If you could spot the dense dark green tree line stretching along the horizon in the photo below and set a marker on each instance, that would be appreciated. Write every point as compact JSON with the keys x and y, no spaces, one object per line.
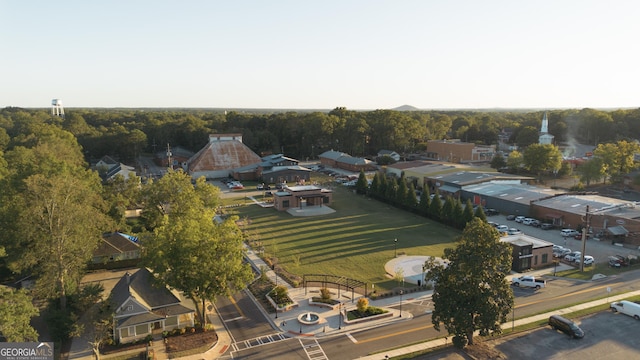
{"x":126,"y":133}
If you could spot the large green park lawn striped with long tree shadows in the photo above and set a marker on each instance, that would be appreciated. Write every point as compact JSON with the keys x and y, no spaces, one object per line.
{"x":355,"y":241}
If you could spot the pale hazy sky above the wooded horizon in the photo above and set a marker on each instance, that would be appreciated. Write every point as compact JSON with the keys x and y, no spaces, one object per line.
{"x":320,"y":54}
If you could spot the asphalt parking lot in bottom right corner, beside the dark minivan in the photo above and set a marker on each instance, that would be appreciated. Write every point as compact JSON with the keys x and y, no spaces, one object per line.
{"x":607,"y":336}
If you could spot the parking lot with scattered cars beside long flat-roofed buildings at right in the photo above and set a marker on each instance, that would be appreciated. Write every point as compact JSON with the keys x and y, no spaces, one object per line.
{"x":600,"y":250}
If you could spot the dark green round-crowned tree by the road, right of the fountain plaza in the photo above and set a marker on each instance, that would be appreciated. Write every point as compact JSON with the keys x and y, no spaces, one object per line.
{"x":471,"y":292}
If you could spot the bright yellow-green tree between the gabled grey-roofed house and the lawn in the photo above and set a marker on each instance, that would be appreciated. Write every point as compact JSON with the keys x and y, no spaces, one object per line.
{"x":188,"y":250}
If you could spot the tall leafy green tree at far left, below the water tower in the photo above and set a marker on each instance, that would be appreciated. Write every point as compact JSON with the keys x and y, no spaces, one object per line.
{"x":55,"y":210}
